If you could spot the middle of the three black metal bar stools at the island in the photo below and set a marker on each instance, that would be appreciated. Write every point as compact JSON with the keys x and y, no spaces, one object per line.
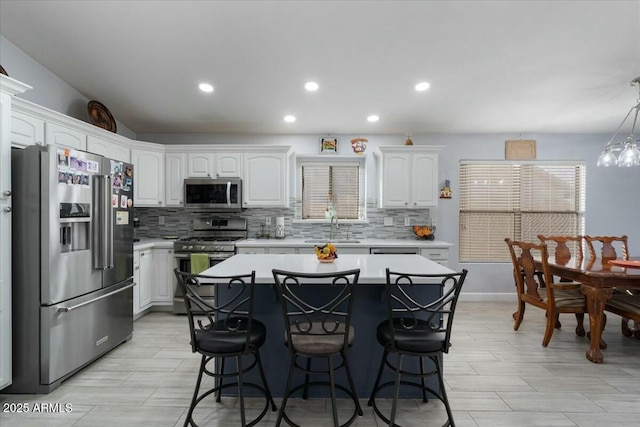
{"x":317,"y":317}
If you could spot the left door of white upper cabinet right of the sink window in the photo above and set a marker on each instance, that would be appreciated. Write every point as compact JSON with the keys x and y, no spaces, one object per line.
{"x":396,"y":181}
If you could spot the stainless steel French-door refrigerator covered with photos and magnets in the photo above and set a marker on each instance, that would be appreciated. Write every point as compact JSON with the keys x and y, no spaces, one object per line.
{"x":72,"y":284}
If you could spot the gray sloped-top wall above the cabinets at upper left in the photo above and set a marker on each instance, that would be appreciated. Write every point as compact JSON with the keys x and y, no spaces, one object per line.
{"x":48,"y":89}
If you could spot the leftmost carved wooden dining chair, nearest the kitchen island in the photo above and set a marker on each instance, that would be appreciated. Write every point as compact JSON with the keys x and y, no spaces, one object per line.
{"x":554,"y":298}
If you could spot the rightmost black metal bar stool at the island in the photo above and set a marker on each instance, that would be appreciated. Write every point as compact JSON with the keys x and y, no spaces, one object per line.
{"x":417,"y":326}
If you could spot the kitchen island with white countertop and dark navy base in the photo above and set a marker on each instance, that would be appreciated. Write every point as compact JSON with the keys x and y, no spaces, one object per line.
{"x":369,"y":305}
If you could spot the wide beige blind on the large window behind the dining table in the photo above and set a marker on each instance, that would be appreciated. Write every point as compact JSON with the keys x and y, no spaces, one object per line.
{"x":519,"y":201}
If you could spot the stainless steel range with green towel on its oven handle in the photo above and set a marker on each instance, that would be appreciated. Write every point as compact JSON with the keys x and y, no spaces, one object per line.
{"x":215,"y":237}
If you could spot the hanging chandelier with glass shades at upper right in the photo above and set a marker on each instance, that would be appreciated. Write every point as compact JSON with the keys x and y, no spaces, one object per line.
{"x":628,"y":148}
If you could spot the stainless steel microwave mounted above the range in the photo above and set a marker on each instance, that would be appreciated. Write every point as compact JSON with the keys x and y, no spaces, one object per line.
{"x":215,"y":194}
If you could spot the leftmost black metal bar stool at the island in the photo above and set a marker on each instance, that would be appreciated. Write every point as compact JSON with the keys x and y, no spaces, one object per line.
{"x":225,"y":329}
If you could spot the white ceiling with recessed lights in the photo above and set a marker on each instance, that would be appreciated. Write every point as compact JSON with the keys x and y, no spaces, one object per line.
{"x":494,"y":67}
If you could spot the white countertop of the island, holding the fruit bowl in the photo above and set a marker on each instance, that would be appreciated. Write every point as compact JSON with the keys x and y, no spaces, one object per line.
{"x":372,"y":267}
